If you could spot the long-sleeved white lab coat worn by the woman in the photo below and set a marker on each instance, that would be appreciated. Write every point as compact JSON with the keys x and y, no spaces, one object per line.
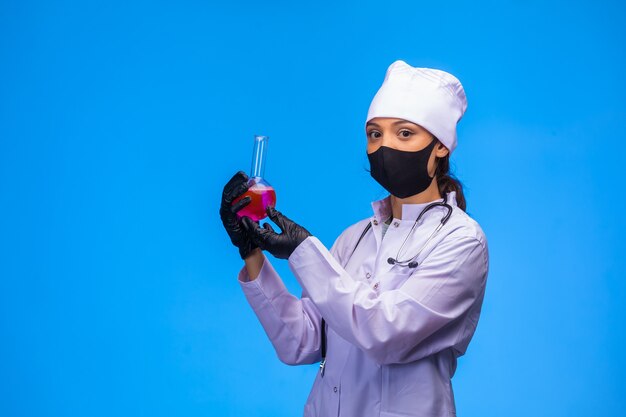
{"x":393,"y":333}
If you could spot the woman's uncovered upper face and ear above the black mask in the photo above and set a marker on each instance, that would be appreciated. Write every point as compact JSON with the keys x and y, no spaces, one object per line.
{"x":402,"y":135}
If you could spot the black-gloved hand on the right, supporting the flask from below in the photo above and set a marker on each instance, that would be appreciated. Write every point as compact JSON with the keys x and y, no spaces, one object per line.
{"x":279,"y":245}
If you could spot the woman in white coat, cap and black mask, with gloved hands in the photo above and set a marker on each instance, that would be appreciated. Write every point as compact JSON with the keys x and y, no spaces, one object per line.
{"x":397,"y":298}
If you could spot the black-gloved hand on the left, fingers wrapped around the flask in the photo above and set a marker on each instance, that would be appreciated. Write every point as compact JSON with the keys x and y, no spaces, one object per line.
{"x":235,"y":187}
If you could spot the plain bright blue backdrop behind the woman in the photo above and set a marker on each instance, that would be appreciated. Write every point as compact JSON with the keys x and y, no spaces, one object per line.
{"x":121,"y":121}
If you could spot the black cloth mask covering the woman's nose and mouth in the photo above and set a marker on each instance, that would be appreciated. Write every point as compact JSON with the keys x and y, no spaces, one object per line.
{"x":402,"y":173}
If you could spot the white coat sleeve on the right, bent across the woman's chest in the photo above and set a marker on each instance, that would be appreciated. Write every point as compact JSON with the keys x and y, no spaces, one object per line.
{"x":435,"y":308}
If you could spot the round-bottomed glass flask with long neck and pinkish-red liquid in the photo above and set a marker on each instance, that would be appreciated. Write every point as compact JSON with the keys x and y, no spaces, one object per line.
{"x":260,"y":191}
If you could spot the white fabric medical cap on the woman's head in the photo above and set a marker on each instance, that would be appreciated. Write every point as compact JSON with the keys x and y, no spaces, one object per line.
{"x":431,"y":98}
